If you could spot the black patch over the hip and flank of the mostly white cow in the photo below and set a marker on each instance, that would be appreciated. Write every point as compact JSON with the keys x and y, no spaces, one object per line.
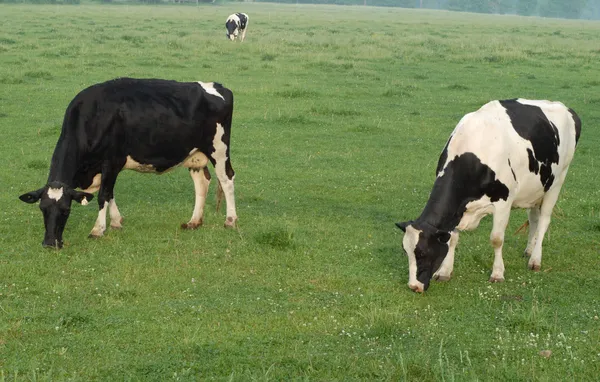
{"x":532,"y":124}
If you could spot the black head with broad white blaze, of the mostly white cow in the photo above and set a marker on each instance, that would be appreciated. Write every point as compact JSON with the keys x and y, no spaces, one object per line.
{"x":426,"y":248}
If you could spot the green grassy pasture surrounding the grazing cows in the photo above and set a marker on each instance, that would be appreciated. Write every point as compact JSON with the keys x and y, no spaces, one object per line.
{"x":340,"y":115}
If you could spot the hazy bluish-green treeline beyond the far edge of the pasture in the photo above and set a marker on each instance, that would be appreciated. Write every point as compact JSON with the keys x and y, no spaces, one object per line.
{"x":572,"y":9}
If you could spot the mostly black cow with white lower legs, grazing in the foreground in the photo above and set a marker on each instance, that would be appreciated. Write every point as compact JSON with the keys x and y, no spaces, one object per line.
{"x":147,"y":125}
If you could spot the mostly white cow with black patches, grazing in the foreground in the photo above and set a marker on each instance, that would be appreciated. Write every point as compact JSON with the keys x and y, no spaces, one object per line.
{"x":507,"y":154}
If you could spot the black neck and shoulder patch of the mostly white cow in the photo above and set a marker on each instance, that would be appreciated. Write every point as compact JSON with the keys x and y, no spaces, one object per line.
{"x":465,"y":179}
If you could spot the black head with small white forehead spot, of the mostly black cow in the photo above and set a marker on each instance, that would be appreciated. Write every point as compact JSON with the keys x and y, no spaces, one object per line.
{"x":55,"y":202}
